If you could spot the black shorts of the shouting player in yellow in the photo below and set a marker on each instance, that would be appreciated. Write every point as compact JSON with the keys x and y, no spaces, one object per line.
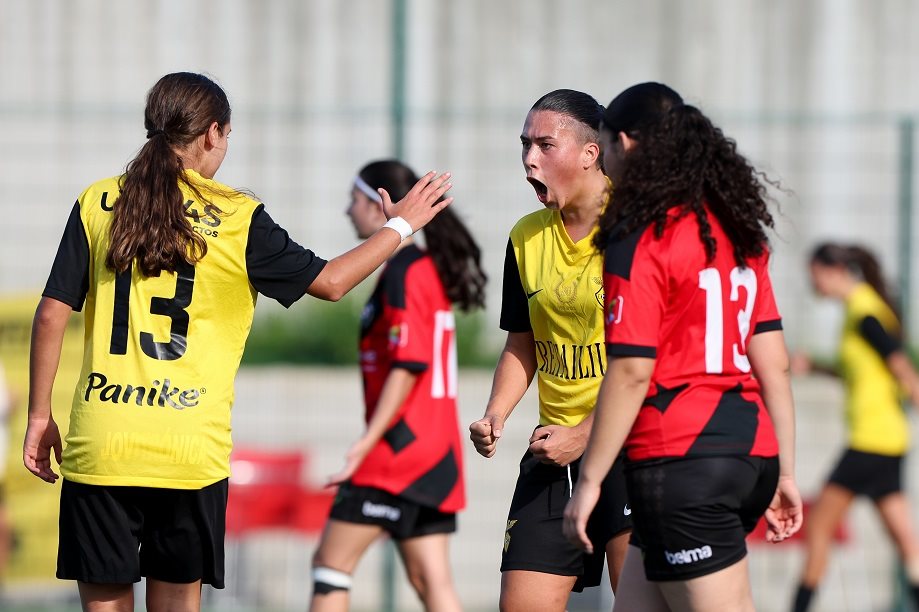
{"x":533,"y":540}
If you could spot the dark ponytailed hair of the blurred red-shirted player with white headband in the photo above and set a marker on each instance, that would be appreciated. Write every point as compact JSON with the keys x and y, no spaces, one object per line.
{"x":456,"y":255}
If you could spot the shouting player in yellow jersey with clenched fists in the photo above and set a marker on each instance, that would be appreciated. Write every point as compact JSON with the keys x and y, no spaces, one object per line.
{"x":552,"y":310}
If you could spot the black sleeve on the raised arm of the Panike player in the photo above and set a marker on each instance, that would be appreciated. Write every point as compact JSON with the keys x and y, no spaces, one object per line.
{"x":278,"y":267}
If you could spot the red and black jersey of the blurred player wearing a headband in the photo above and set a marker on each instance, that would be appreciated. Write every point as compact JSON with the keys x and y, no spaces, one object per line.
{"x":408,"y":323}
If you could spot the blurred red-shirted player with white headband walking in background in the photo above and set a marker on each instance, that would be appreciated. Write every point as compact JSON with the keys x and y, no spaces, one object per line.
{"x":404,"y":475}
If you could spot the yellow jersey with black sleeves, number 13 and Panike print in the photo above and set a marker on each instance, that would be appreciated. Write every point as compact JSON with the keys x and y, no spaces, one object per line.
{"x":152,"y":407}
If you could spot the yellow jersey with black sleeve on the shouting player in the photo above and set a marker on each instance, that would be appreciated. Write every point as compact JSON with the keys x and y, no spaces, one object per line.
{"x":554,"y":288}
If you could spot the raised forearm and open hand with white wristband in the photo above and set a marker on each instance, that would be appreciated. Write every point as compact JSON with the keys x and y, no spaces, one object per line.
{"x":417,"y":208}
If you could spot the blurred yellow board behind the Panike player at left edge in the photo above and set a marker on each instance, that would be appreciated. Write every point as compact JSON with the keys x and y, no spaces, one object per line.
{"x":32,"y":504}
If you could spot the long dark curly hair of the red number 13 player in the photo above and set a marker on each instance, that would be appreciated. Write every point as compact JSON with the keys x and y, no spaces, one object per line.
{"x":682,"y":159}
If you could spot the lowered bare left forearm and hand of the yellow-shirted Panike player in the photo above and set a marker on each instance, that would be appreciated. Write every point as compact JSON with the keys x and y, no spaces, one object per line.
{"x":42,"y":435}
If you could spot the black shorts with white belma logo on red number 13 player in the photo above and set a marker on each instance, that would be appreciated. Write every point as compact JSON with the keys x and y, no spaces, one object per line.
{"x":692,"y":515}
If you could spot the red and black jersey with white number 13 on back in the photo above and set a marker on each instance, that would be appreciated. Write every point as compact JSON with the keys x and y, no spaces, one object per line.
{"x":664,"y":300}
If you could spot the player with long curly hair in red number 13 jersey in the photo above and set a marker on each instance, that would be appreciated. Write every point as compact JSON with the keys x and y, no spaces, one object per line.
{"x":696,"y":388}
